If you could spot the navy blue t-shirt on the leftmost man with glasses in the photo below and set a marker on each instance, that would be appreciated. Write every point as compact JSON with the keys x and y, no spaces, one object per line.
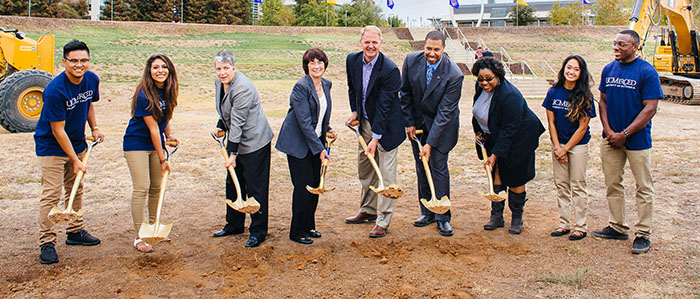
{"x":65,"y":101}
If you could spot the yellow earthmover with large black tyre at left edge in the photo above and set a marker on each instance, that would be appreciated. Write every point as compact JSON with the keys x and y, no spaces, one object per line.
{"x":26,"y":67}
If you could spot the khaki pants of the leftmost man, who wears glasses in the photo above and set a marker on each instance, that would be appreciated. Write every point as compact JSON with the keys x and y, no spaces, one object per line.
{"x":56,"y":175}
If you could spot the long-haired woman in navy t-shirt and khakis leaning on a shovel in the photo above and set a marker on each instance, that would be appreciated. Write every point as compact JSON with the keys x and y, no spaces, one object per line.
{"x":151,"y":110}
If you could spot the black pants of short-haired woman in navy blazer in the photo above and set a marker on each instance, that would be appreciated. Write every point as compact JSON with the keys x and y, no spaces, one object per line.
{"x":304,"y":172}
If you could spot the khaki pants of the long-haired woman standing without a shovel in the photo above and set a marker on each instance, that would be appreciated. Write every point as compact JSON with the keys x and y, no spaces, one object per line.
{"x":570,"y":180}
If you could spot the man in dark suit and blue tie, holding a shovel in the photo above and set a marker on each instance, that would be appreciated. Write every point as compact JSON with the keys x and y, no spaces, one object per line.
{"x":430,"y":93}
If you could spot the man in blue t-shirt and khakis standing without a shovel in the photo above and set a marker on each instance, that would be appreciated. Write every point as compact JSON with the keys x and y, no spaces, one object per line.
{"x":630,"y":90}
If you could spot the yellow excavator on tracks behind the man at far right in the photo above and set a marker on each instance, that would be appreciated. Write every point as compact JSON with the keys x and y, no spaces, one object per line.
{"x":676,"y":55}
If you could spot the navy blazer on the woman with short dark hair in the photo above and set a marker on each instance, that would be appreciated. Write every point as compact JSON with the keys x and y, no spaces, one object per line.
{"x":298,"y":132}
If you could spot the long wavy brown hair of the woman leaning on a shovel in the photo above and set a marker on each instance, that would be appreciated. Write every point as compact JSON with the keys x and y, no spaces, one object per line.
{"x":148,"y":86}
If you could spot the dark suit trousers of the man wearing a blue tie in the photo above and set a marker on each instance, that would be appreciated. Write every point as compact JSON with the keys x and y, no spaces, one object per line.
{"x":441,"y":179}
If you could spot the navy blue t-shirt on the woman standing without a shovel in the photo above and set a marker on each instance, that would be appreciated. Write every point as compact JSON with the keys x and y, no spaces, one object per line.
{"x":557,"y":103}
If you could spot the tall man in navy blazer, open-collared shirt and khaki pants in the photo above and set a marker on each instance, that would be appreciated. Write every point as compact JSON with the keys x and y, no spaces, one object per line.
{"x":373,"y":85}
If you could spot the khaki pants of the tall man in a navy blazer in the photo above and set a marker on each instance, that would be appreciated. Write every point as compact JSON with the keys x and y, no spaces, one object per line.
{"x":371,"y":203}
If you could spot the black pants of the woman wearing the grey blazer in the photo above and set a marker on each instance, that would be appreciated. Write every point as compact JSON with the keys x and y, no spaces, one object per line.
{"x":253,"y":172}
